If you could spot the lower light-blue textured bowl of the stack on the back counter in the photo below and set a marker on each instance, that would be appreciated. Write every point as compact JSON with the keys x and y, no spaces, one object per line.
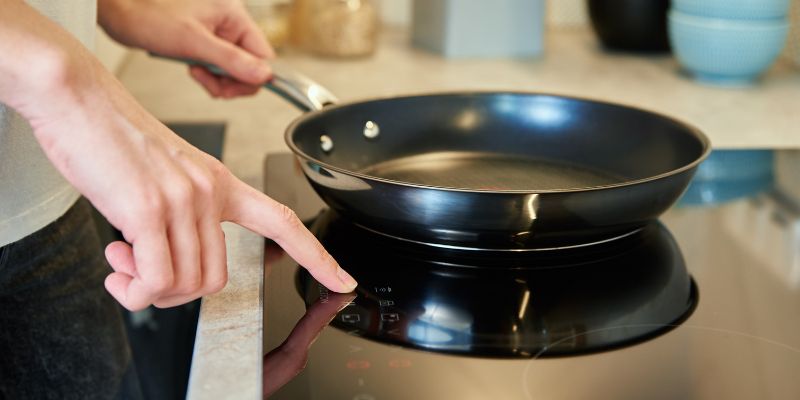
{"x":725,"y":51}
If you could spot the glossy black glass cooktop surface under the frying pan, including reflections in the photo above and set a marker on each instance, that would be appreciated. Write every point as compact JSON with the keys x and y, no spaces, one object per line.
{"x":702,"y":304}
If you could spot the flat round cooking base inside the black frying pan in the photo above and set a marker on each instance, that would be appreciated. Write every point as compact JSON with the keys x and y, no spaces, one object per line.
{"x":487,"y":171}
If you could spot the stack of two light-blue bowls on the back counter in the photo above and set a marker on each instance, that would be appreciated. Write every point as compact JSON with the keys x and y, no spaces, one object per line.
{"x":727,"y":42}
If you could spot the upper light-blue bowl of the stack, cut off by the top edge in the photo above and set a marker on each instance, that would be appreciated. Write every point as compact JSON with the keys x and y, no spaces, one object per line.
{"x":736,"y":9}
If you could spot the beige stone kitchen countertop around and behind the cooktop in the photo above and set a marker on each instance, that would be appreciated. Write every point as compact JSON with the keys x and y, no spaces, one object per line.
{"x":227,"y":362}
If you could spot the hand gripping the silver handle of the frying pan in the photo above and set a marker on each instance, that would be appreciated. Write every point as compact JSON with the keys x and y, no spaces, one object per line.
{"x":215,"y":31}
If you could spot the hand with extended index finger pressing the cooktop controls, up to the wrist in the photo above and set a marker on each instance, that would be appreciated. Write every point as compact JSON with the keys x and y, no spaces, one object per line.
{"x":168,"y":199}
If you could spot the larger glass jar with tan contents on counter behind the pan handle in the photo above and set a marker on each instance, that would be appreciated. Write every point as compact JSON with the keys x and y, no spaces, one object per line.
{"x":342,"y":28}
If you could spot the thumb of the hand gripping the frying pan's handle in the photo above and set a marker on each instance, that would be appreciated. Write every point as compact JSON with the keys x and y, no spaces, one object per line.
{"x":239,"y":63}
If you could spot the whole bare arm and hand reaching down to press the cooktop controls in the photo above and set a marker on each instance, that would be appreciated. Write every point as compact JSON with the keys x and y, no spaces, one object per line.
{"x":165,"y":196}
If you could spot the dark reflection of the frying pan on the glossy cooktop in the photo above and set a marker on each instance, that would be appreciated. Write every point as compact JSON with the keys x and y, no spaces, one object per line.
{"x":535,"y":305}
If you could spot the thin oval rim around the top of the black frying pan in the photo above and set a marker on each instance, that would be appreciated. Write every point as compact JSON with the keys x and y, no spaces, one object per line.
{"x":690,"y":128}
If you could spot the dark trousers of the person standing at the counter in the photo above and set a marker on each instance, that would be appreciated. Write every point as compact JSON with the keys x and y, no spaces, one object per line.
{"x":61,"y":333}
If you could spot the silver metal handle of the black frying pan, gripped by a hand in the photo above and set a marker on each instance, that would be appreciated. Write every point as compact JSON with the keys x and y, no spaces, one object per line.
{"x":294,"y":87}
